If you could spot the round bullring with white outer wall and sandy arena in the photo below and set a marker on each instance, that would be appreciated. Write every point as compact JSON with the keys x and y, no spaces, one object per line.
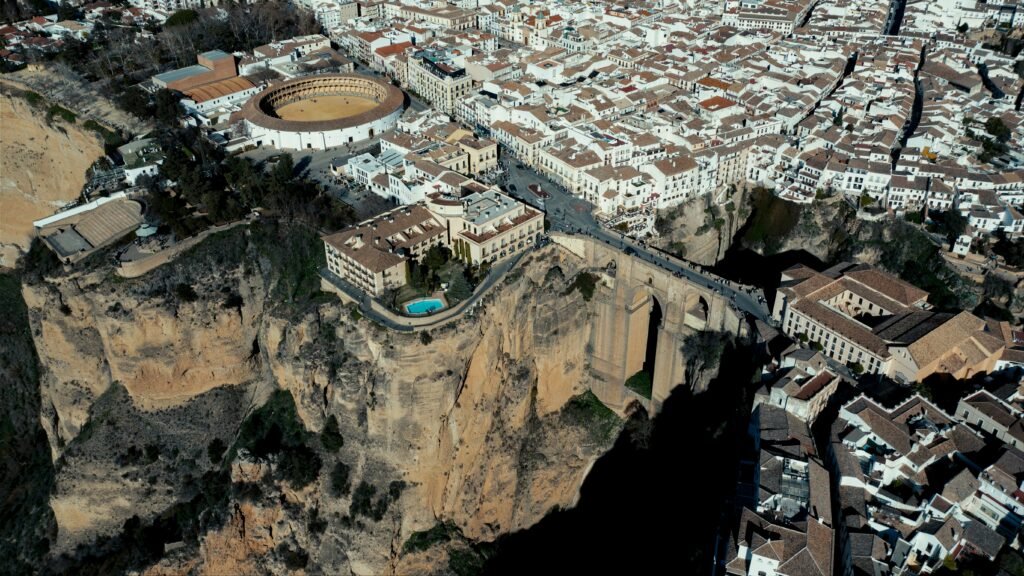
{"x":322,"y":112}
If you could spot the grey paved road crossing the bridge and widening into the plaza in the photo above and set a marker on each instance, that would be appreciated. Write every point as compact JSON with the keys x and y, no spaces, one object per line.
{"x":571,"y":215}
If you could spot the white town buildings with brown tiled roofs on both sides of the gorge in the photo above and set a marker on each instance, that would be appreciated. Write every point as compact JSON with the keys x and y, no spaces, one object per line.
{"x":902,"y":109}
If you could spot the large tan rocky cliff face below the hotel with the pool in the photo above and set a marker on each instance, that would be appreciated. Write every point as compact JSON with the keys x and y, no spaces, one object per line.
{"x":479,"y":426}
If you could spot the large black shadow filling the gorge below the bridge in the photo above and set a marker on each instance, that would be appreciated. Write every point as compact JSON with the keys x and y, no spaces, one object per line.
{"x":653,"y":504}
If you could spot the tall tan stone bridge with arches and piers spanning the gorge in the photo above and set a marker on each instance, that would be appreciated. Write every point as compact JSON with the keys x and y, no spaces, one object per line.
{"x":631,"y":294}
